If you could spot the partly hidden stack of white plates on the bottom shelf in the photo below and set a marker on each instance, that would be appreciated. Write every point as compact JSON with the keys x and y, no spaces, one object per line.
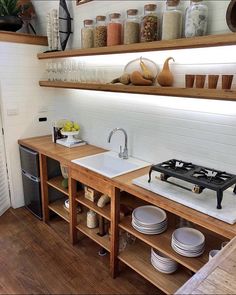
{"x":163,"y":263}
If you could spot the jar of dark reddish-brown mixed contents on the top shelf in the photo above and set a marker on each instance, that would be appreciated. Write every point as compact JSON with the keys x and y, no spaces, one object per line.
{"x":150,"y":25}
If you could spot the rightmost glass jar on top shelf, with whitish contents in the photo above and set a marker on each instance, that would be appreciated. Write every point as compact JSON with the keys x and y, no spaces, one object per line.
{"x":196,"y":19}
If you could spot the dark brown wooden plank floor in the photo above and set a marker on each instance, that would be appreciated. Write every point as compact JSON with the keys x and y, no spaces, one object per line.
{"x":38,"y":259}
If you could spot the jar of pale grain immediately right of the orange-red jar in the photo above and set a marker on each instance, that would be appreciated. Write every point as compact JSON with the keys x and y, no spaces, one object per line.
{"x":131,"y":27}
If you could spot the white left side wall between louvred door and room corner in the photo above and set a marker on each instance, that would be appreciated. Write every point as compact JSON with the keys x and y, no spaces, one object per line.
{"x":22,"y":103}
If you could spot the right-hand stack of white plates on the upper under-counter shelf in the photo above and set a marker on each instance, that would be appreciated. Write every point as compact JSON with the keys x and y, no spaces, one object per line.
{"x":188,"y":242}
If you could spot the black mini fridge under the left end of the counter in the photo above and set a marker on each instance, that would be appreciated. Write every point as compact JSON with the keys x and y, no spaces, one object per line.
{"x":31,"y":180}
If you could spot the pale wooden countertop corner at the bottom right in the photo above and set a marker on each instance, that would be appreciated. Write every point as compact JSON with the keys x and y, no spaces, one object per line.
{"x":218,"y":276}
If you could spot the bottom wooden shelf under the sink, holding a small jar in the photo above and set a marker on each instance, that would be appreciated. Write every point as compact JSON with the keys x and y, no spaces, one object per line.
{"x":92,"y":233}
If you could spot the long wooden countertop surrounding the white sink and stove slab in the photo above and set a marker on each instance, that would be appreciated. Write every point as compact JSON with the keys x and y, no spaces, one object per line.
{"x":45,"y":146}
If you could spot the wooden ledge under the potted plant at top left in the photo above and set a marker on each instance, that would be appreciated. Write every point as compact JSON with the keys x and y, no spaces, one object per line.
{"x":23,"y":38}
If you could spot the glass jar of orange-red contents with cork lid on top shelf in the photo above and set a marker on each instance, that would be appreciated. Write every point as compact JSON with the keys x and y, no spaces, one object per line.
{"x":114,"y":29}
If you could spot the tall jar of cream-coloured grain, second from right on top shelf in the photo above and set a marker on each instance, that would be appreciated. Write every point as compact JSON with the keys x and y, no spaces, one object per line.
{"x":172,"y":21}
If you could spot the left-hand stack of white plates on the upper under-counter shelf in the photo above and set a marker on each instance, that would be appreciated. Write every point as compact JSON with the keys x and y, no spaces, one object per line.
{"x":149,"y":220}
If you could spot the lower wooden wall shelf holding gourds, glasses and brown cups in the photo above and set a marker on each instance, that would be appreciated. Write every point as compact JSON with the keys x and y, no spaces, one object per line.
{"x":151,"y":90}
